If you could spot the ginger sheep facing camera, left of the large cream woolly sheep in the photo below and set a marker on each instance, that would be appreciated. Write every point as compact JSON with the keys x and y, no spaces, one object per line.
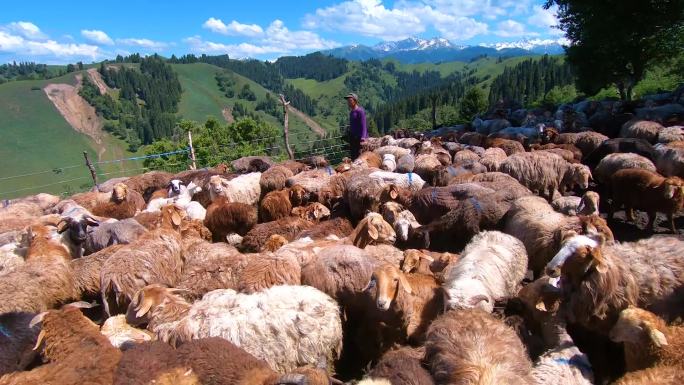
{"x":416,"y":299}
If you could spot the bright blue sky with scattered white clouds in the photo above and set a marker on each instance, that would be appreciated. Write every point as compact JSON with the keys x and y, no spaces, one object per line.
{"x":50,"y":32}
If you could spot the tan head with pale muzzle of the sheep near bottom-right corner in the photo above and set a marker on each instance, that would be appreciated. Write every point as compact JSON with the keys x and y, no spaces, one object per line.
{"x":638,"y":326}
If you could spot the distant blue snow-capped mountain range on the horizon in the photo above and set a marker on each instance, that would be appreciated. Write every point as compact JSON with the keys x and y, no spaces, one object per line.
{"x":416,"y":50}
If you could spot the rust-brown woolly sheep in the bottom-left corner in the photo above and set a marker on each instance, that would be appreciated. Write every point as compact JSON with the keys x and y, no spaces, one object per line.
{"x":73,"y":347}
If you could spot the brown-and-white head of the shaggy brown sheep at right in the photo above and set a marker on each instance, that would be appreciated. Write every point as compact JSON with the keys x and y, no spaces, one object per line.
{"x":577,"y":256}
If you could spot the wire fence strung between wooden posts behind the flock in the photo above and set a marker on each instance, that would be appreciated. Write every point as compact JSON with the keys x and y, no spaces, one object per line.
{"x":69,"y":179}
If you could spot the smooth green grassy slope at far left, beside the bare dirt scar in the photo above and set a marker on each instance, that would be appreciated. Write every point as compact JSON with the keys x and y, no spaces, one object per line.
{"x":36,"y":138}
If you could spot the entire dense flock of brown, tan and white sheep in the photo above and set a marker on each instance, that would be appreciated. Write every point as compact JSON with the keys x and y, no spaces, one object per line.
{"x":466,"y":257}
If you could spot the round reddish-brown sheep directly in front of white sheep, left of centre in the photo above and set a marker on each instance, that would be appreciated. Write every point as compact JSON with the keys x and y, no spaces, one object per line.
{"x":224,"y":217}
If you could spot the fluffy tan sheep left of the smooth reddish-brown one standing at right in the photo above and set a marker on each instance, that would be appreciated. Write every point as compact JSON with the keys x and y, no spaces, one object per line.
{"x":545,"y":173}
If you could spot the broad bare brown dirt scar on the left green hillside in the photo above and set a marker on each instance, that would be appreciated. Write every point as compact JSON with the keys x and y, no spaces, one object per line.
{"x":76,"y":111}
